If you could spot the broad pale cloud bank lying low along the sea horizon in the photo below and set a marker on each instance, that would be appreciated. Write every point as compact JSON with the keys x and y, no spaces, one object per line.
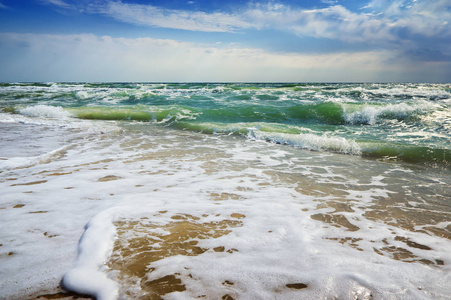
{"x":39,"y":57}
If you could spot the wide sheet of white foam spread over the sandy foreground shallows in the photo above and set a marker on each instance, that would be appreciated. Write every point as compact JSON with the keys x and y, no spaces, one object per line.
{"x":180,"y":172}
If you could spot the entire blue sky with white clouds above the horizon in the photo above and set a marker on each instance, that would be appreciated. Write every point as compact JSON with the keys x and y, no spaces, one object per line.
{"x":225,"y":41}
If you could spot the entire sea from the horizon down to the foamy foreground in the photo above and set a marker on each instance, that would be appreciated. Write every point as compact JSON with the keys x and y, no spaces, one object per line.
{"x":225,"y":191}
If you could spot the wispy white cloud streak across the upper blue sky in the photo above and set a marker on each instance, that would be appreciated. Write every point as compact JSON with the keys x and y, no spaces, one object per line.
{"x":380,"y":22}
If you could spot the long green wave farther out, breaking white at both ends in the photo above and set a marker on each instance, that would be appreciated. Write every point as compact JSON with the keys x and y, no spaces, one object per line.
{"x":329,"y":113}
